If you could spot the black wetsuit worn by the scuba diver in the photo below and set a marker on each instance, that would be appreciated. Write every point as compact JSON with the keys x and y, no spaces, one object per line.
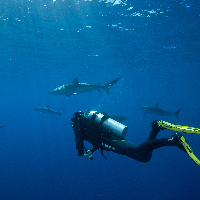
{"x":103,"y":139}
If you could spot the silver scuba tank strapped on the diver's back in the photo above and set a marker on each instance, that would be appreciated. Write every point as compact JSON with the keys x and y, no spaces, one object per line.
{"x":107,"y":122}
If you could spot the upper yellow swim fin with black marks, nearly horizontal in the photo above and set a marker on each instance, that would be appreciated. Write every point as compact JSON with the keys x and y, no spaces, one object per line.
{"x":178,"y":128}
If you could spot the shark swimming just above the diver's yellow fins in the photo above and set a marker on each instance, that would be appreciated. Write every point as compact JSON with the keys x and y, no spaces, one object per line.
{"x":158,"y":111}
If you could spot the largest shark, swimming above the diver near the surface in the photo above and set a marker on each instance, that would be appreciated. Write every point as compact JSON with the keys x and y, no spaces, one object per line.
{"x":77,"y":88}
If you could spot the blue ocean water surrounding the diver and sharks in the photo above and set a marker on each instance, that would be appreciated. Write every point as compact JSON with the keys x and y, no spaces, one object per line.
{"x":152,"y":45}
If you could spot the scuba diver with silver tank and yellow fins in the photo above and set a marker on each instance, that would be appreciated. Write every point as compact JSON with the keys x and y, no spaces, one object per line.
{"x":104,"y":133}
